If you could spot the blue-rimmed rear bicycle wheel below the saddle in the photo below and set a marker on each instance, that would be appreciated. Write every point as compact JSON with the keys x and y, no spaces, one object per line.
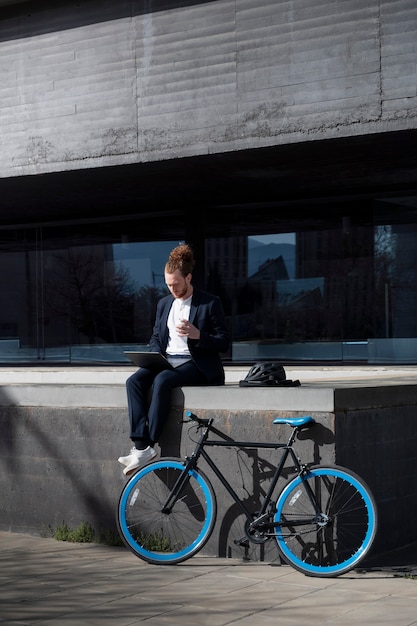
{"x":326,"y":521}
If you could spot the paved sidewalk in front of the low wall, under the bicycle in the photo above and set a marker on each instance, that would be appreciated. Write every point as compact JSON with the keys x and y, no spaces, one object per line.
{"x":51,"y":583}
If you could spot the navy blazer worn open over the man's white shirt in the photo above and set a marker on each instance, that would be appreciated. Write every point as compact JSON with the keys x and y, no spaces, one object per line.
{"x":206,"y":313}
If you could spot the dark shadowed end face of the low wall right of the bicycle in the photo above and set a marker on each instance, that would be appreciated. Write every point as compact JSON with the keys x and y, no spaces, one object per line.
{"x":377,"y":437}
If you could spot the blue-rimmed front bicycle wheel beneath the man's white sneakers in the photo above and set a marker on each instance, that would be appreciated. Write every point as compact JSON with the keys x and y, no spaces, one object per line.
{"x":160,"y":529}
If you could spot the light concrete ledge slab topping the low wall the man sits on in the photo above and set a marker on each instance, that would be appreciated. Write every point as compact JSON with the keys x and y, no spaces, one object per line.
{"x":322,"y":389}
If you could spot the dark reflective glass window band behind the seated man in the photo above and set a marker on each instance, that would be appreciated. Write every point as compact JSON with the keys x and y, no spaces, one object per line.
{"x":343,"y":292}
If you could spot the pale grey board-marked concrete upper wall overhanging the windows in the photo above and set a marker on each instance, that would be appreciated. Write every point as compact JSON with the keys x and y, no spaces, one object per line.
{"x":86,"y":84}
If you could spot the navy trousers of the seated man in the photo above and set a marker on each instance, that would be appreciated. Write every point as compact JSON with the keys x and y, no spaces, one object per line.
{"x":149,"y":398}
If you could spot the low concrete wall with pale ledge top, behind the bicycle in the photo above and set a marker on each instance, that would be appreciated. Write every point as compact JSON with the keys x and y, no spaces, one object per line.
{"x":62,"y":432}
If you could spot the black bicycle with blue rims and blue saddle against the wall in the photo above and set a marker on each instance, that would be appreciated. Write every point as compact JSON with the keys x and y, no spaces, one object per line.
{"x":324,"y":520}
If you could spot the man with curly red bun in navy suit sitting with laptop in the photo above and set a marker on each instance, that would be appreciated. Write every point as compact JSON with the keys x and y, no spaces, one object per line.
{"x":190,"y":329}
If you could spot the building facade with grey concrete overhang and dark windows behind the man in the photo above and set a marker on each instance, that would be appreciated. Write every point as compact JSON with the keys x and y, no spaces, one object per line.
{"x":222,"y":123}
